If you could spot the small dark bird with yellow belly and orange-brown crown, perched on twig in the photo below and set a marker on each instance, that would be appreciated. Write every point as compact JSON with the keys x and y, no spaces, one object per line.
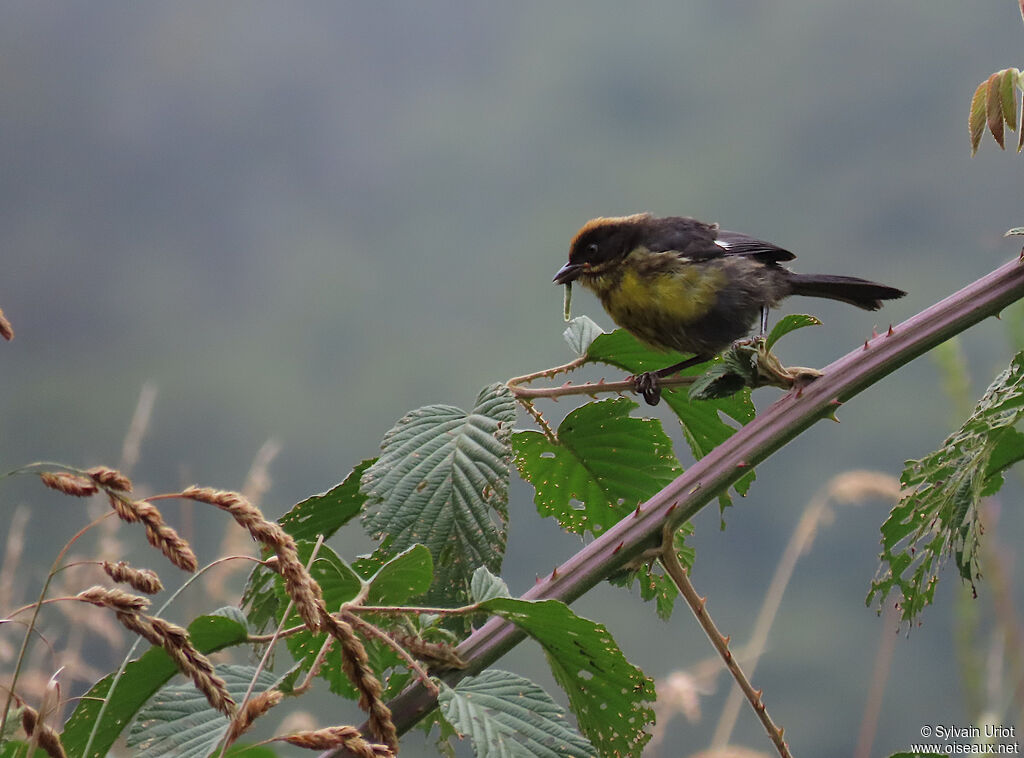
{"x":684,"y":285}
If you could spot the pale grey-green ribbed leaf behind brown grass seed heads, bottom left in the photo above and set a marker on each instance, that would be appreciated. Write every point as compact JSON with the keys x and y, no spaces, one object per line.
{"x":179,"y":723}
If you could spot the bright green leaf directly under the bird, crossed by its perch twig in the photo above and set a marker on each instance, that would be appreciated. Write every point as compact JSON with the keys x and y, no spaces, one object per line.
{"x":702,"y":422}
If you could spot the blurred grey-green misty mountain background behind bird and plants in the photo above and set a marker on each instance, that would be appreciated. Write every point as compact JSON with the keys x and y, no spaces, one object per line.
{"x":301,"y":221}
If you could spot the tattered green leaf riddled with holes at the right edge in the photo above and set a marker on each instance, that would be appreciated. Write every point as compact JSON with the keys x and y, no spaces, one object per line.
{"x":938,"y":516}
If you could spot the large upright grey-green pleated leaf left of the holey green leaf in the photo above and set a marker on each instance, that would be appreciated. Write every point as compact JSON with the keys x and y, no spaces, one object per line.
{"x":442,"y":481}
